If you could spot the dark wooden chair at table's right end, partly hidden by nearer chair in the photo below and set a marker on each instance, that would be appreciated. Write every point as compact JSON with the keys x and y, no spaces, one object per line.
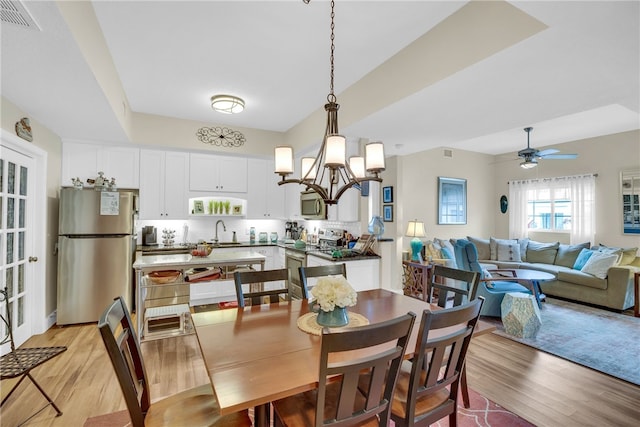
{"x":464,"y":289}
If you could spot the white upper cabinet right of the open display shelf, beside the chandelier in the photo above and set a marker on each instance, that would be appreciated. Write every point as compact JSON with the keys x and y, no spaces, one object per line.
{"x":265,"y":198}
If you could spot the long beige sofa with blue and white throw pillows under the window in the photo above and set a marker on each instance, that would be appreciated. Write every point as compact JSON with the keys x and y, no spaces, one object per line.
{"x":605,"y":278}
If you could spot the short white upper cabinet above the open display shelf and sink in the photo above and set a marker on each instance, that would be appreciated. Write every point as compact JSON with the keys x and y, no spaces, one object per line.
{"x":213,"y":173}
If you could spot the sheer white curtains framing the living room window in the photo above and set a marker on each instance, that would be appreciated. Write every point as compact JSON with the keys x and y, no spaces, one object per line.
{"x":581,"y":191}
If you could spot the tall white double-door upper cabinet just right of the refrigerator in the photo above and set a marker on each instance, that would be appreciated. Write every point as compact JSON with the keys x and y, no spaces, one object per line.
{"x":163,"y":184}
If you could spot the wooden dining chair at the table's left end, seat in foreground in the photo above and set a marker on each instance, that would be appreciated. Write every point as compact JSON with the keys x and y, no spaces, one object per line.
{"x":194,"y":407}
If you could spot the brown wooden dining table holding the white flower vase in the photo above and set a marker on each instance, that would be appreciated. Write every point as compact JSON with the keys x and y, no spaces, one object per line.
{"x":258,"y":354}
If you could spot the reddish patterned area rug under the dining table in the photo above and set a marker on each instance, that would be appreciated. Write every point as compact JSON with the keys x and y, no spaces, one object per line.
{"x":481,"y":413}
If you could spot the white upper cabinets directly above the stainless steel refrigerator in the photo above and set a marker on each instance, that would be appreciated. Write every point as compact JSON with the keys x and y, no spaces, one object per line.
{"x":84,"y":161}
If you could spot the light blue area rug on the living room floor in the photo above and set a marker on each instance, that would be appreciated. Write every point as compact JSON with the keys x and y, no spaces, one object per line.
{"x":599,"y":339}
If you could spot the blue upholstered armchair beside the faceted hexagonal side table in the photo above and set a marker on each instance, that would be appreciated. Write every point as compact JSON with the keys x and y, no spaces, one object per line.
{"x":493,"y":291}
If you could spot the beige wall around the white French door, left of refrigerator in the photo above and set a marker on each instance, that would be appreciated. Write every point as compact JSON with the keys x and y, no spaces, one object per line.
{"x":50,"y":142}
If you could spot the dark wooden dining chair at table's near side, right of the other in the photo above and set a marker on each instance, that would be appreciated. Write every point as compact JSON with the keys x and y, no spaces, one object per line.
{"x":429,"y":391}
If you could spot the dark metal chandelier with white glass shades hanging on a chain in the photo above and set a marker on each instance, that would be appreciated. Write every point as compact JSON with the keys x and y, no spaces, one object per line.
{"x":329,"y":174}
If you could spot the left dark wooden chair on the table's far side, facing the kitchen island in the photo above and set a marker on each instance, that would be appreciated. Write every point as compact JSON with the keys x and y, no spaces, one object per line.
{"x":261,"y":286}
